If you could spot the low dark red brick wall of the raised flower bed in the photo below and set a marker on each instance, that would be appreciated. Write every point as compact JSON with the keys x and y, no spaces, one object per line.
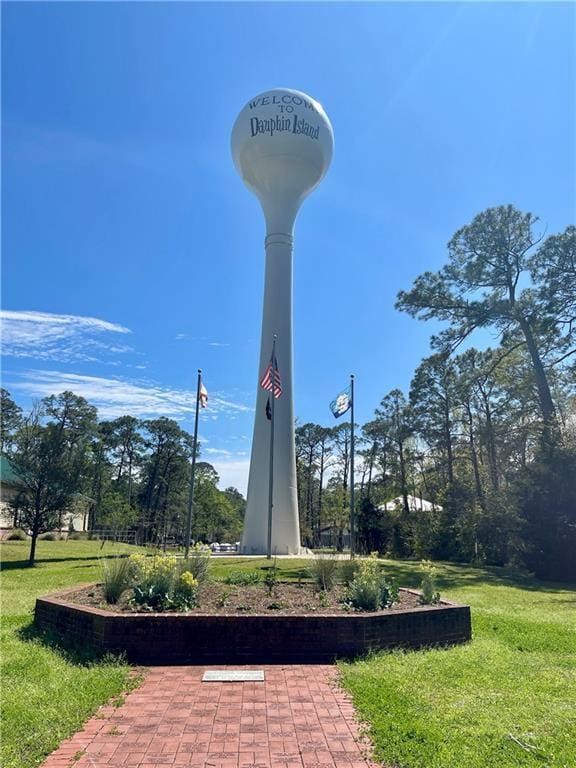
{"x":177,"y":638}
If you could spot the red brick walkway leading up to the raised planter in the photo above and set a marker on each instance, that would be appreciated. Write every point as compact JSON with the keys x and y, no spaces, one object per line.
{"x":297,"y":718}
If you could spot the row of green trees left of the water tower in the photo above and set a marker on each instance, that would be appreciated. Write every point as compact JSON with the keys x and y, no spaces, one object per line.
{"x":123,"y":473}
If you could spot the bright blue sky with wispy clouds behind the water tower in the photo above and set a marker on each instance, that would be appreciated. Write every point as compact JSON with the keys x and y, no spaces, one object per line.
{"x":133,"y":254}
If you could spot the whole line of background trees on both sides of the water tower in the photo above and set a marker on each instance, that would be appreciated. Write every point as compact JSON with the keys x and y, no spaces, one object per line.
{"x":488,"y":436}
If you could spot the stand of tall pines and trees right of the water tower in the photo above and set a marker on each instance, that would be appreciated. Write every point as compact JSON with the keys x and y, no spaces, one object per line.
{"x":487,"y":436}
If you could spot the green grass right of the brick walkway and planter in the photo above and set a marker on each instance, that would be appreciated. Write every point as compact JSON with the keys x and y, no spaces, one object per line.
{"x":506,"y":700}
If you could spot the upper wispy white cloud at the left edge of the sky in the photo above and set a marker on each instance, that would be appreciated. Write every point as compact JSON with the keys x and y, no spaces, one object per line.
{"x":46,"y":336}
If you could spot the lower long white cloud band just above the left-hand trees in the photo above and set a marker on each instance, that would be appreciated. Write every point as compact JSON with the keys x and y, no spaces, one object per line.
{"x":118,"y":396}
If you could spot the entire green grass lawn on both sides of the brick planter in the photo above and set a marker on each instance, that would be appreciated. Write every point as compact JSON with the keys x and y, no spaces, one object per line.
{"x":507,"y":699}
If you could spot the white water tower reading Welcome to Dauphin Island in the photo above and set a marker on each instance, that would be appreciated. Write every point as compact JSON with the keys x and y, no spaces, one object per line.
{"x":282,"y":144}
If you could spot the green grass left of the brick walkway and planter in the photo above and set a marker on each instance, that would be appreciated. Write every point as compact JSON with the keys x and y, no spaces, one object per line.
{"x":46,"y":696}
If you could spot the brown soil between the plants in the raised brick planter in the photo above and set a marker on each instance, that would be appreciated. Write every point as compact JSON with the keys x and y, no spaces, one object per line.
{"x":228,"y":599}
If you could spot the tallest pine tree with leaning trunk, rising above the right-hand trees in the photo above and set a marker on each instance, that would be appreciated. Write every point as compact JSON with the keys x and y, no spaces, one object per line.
{"x":482,"y":286}
